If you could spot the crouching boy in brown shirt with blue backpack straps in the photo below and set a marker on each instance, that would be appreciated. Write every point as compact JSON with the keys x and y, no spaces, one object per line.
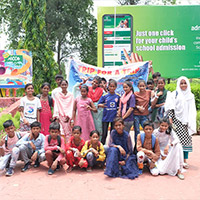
{"x":148,"y":148}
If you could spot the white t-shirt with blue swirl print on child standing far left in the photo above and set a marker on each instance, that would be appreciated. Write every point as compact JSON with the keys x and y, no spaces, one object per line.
{"x":30,"y":108}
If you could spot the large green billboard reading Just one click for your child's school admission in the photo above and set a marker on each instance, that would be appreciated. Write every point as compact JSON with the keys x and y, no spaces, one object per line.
{"x":167,"y":35}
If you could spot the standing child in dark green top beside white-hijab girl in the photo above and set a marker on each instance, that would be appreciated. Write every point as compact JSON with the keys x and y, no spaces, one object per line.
{"x":158,"y":102}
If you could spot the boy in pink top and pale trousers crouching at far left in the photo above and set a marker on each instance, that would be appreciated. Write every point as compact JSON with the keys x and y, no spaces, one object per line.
{"x":8,"y":149}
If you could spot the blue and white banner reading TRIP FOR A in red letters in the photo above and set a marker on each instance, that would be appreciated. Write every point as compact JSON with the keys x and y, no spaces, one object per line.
{"x":132,"y":72}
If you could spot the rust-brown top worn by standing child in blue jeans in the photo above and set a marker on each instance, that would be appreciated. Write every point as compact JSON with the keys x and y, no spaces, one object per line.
{"x":142,"y":99}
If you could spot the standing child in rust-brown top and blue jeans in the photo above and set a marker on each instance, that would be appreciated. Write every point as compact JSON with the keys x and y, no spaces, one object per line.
{"x":141,"y":111}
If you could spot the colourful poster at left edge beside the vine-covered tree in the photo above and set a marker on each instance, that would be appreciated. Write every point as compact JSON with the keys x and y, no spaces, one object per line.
{"x":15,"y":68}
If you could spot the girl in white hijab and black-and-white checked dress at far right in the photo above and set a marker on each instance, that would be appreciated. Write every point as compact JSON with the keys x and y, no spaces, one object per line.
{"x":180,"y":106}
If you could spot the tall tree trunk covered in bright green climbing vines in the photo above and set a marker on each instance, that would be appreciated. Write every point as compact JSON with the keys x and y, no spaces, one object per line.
{"x":35,"y":40}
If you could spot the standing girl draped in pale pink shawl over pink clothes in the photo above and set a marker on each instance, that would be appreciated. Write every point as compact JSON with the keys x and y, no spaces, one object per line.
{"x":63,"y":109}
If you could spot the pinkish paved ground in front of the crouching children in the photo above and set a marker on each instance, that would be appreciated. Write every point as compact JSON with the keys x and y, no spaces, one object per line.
{"x":80,"y":185}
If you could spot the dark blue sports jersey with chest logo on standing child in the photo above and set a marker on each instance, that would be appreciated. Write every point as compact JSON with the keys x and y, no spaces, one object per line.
{"x":112,"y":103}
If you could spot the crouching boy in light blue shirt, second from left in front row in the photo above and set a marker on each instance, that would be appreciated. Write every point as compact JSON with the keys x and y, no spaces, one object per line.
{"x":31,"y":147}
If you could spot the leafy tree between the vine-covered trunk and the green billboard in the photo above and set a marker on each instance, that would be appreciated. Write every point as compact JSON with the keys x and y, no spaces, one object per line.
{"x":71,"y":28}
